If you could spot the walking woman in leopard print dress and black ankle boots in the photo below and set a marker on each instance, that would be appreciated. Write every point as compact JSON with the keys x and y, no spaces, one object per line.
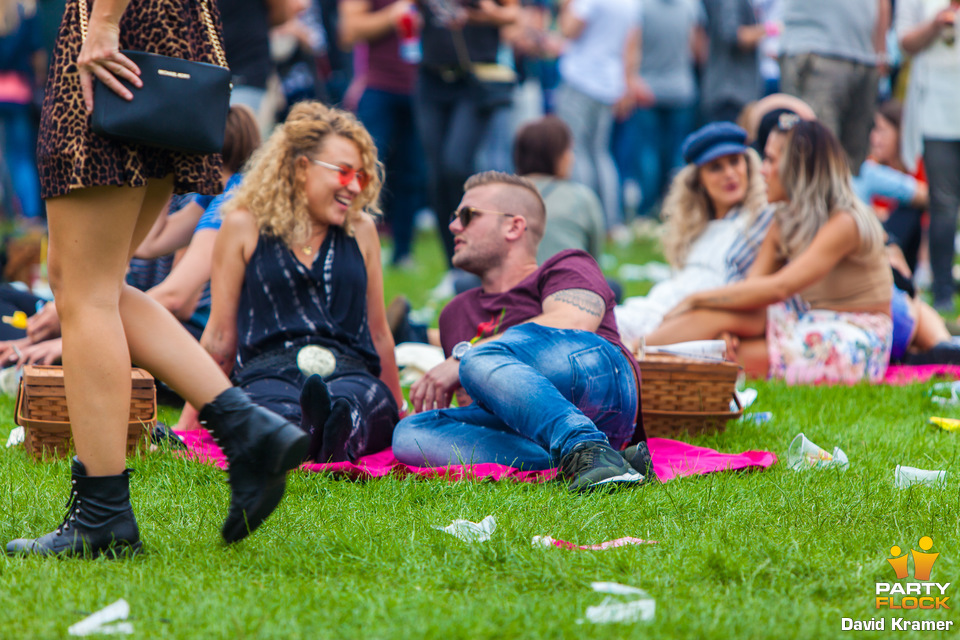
{"x":102,"y":198}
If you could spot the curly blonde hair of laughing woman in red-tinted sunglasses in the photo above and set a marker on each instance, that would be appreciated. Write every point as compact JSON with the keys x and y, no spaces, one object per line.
{"x":273,"y":193}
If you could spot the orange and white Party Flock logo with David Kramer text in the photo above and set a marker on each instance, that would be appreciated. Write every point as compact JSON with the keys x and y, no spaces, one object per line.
{"x":920,"y":593}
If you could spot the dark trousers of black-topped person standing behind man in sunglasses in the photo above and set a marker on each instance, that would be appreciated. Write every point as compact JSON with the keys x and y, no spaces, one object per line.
{"x":452,"y":126}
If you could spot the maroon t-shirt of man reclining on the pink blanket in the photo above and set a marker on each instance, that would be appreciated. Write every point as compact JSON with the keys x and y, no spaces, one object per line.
{"x":475,"y":314}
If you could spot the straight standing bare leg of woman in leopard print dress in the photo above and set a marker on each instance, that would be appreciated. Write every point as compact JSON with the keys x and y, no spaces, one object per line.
{"x":90,"y":235}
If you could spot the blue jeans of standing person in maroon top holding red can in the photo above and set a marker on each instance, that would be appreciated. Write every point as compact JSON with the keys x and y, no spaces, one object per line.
{"x":389,"y":119}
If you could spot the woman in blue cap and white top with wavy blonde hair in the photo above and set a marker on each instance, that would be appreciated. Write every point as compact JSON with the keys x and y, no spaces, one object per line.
{"x":715,"y":216}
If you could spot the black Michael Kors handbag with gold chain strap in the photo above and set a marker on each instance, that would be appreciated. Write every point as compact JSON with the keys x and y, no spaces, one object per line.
{"x":182,"y":105}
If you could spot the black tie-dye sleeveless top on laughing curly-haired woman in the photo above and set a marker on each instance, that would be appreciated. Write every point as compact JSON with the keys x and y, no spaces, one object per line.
{"x":285,"y":304}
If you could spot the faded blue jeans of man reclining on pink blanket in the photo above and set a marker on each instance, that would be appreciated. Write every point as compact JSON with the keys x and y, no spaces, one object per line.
{"x":537,"y":392}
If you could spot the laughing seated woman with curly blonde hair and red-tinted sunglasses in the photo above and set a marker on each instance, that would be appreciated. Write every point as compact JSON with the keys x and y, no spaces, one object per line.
{"x":298,"y":315}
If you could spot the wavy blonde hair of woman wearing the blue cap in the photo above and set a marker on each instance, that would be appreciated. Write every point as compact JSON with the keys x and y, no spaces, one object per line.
{"x":687,"y":209}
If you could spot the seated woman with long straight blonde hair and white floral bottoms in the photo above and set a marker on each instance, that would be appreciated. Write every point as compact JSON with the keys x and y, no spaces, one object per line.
{"x":816,"y":306}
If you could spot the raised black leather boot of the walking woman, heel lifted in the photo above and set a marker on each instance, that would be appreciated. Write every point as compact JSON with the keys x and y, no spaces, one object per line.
{"x":260,"y":447}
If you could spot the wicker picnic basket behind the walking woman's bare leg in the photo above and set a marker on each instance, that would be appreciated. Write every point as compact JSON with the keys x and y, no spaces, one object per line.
{"x":42,"y":411}
